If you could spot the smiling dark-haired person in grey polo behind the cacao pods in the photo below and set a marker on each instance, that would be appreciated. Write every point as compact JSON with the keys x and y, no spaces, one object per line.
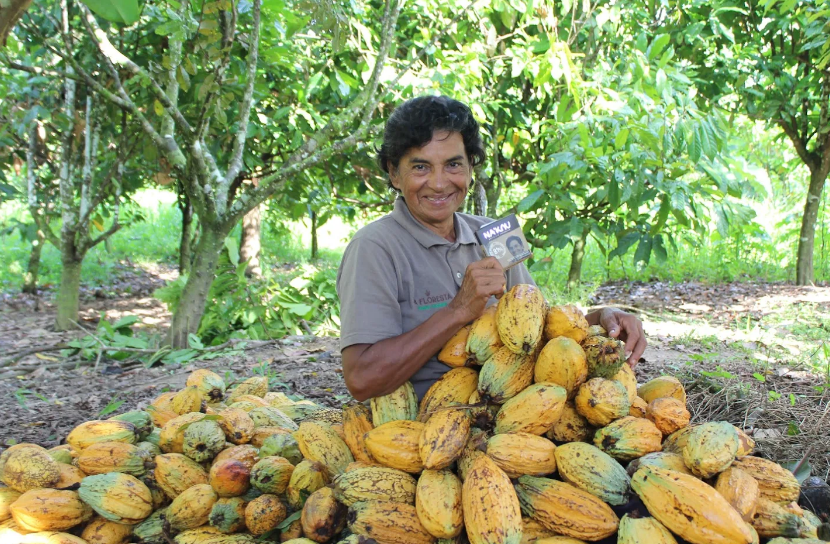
{"x":410,"y":280}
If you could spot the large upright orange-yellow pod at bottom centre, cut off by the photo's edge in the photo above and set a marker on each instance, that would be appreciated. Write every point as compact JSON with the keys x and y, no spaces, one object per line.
{"x":491,"y":508}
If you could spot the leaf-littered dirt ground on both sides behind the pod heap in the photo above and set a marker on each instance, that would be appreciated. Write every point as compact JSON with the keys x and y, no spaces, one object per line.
{"x":712,"y":338}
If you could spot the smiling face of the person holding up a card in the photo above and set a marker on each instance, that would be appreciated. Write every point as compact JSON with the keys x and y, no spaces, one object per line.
{"x":433,"y":180}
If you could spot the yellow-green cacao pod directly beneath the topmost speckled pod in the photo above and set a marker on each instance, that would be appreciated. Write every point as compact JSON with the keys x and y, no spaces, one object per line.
{"x":505,"y":375}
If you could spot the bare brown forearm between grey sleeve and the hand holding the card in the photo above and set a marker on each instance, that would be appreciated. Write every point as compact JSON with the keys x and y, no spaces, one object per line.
{"x":372,"y":370}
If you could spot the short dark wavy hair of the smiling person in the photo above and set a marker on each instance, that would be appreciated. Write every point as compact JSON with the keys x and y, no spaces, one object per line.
{"x":413,"y":123}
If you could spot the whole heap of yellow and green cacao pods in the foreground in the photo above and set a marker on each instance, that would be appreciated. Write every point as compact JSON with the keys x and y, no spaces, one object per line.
{"x":539,"y":433}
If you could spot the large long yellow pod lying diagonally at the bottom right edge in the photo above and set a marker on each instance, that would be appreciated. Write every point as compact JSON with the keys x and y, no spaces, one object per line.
{"x":689,"y":508}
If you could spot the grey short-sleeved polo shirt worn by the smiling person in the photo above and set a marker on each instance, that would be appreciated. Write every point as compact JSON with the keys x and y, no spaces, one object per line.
{"x":396,"y":273}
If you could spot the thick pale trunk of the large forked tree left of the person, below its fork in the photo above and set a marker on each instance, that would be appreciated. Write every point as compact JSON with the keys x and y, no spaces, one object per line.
{"x":189,"y":312}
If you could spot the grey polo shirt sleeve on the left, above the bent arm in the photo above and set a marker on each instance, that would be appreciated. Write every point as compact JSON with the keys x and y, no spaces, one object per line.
{"x":367,"y":284}
